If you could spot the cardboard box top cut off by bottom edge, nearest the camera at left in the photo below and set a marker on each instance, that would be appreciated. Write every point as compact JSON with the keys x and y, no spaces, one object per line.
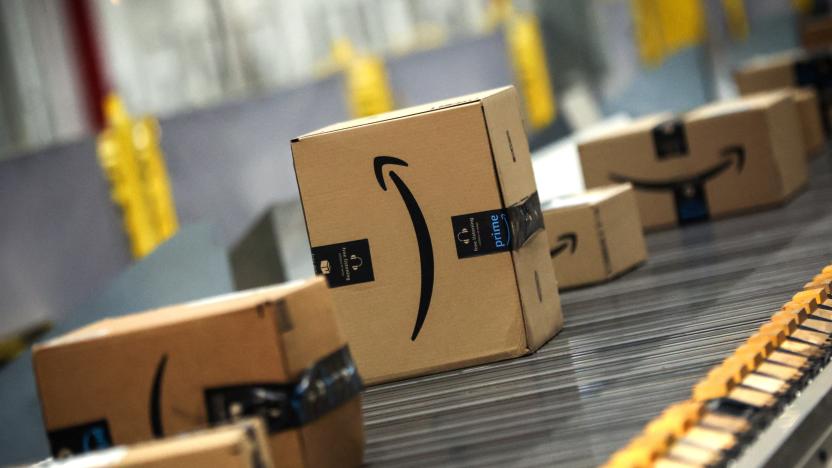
{"x":241,"y":445}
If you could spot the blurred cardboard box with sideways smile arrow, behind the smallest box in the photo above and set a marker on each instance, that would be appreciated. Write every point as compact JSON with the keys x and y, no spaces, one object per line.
{"x":723,"y":158}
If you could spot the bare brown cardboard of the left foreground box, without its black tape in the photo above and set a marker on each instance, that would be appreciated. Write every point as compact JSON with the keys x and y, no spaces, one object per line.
{"x":106,"y":370}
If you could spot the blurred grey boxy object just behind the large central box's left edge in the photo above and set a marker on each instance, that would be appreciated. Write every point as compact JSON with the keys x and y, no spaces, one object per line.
{"x":274,"y":249}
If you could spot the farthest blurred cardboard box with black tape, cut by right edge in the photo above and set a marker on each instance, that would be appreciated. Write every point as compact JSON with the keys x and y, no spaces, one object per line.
{"x":792,"y":69}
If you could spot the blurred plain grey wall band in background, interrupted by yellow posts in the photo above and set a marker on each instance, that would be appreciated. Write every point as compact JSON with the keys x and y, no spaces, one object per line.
{"x":63,"y":238}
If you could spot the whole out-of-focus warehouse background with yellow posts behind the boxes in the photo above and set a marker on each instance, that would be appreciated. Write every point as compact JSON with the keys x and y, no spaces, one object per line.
{"x":142,"y":142}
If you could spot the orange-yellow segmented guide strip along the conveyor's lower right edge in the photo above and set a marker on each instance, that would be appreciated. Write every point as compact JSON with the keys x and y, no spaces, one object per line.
{"x":748,"y":387}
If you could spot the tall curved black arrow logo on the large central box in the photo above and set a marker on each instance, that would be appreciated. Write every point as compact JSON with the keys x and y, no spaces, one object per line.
{"x":420,"y":227}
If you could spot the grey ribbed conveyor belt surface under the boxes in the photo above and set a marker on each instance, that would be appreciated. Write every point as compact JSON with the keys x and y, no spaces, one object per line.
{"x":630,"y":348}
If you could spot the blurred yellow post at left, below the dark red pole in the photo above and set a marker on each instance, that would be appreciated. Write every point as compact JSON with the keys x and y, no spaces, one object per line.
{"x":133,"y":162}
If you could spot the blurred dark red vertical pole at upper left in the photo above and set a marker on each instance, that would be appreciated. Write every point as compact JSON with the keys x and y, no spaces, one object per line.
{"x":88,"y":59}
